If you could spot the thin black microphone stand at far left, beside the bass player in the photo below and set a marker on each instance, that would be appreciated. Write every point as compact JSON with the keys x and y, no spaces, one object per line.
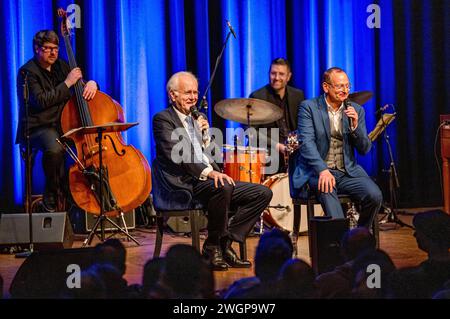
{"x":27,"y":169}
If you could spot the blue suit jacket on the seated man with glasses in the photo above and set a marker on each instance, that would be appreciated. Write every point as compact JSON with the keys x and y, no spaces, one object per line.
{"x":314,"y":136}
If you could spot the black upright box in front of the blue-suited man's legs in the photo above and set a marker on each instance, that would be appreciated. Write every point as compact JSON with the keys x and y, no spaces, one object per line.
{"x":325,"y":237}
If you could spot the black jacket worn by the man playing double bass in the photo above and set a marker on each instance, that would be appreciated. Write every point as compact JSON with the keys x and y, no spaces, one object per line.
{"x":47,"y":96}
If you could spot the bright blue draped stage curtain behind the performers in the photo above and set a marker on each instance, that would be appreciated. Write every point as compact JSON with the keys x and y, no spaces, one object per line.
{"x":131,"y":48}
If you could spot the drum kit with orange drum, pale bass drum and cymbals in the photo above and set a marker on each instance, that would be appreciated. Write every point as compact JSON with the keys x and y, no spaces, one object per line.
{"x":246,"y":164}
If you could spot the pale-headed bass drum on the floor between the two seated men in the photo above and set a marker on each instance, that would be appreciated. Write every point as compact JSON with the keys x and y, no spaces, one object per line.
{"x":280,"y":212}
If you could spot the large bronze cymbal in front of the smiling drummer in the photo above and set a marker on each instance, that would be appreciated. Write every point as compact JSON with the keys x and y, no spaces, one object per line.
{"x":259,"y":111}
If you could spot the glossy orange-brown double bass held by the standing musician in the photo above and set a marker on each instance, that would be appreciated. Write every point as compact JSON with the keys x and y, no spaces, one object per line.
{"x":125,"y":175}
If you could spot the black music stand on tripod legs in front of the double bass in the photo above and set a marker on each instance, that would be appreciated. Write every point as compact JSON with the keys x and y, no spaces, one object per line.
{"x":99,"y":130}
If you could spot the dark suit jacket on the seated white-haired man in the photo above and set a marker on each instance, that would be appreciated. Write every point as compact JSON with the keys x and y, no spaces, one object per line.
{"x":177,"y":175}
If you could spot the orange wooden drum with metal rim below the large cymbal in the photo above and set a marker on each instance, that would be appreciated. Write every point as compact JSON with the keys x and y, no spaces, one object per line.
{"x":245,"y":164}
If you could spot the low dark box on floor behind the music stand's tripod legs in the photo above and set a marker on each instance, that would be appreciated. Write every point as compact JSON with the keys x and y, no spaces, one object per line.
{"x":83,"y":222}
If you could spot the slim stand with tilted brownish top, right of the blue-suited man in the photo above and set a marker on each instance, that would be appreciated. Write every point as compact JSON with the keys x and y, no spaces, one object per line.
{"x":390,"y":211}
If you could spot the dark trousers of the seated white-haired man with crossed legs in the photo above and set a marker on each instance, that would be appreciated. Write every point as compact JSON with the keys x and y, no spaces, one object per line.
{"x":246,"y":201}
